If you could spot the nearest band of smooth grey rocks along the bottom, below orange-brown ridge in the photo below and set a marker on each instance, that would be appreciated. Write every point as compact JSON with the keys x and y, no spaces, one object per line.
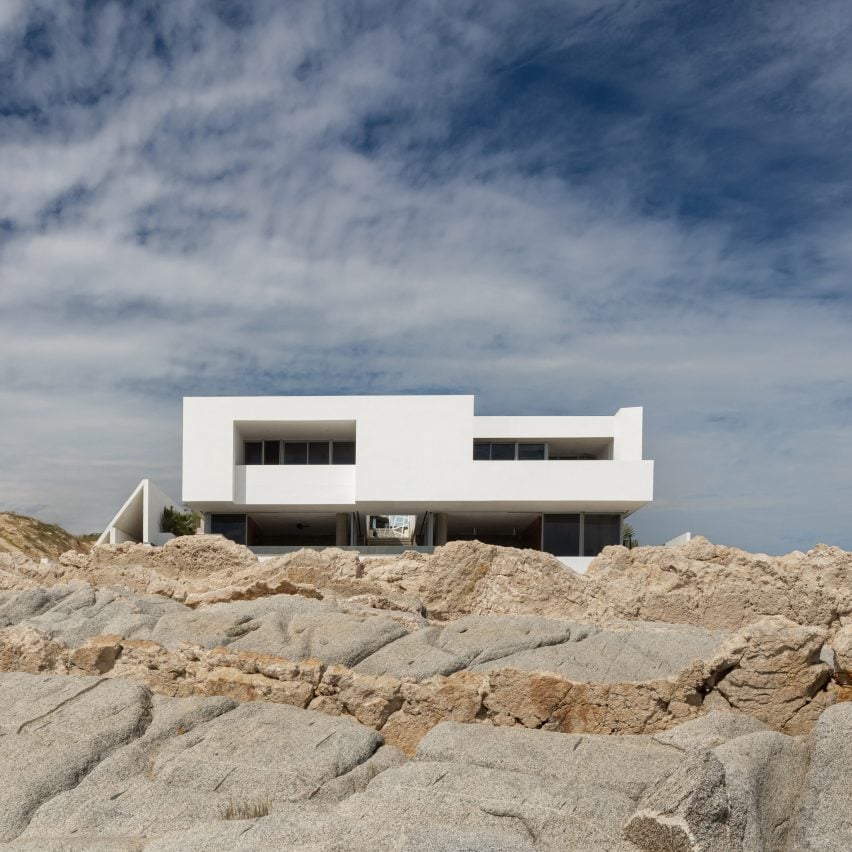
{"x":104,"y":764}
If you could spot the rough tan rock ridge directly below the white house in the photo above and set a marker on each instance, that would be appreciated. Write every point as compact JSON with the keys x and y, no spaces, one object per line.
{"x":700,"y":583}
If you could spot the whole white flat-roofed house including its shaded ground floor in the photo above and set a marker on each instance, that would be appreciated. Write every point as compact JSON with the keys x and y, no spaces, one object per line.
{"x":275,"y":460}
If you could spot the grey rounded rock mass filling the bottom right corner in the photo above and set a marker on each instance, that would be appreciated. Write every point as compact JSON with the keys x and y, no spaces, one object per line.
{"x":760,"y":791}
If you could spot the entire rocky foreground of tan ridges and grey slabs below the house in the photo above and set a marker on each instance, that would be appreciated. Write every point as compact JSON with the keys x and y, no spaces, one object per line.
{"x":190,"y":697}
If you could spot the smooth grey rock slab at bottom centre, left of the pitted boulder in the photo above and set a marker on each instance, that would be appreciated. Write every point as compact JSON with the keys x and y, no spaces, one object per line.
{"x":485,"y":787}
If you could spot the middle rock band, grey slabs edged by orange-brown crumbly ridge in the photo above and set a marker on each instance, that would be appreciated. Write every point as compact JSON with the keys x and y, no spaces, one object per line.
{"x":504,"y":670}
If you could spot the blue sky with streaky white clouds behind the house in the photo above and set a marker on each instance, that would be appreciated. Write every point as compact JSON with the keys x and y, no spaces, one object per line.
{"x":561,"y":207}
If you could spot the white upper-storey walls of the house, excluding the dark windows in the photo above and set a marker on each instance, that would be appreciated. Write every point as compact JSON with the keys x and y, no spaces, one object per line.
{"x":412,"y":453}
